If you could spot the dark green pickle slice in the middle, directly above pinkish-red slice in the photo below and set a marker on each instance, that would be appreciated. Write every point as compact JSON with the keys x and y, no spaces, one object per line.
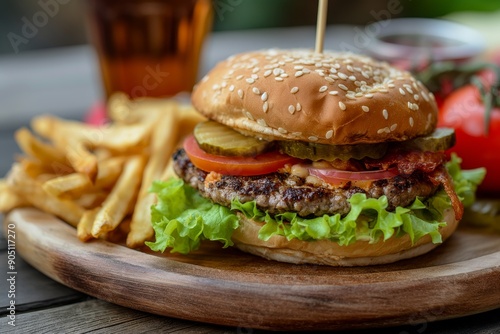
{"x":315,"y":152}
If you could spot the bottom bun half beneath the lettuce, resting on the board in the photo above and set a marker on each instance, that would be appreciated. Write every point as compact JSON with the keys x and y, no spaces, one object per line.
{"x":360,"y":253}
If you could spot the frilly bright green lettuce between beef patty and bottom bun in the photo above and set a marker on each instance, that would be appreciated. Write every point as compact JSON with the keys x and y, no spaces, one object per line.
{"x":182,"y":218}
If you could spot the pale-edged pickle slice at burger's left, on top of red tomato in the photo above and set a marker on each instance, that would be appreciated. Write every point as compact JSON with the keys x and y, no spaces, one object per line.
{"x":216,"y":138}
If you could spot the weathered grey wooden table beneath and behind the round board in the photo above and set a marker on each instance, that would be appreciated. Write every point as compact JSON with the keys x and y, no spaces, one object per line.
{"x":45,"y":306}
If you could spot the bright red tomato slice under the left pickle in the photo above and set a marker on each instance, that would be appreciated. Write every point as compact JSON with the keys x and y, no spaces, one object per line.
{"x":244,"y":166}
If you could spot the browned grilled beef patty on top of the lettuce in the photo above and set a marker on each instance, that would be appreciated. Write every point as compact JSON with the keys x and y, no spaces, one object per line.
{"x":283,"y":192}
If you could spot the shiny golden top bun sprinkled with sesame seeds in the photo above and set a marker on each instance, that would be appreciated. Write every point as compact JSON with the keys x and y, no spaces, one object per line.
{"x":330,"y":98}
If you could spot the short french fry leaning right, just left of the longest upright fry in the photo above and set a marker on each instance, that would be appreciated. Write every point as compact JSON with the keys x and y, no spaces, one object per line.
{"x":124,"y":193}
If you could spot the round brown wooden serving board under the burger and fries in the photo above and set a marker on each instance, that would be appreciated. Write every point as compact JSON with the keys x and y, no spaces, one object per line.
{"x":228,"y":287}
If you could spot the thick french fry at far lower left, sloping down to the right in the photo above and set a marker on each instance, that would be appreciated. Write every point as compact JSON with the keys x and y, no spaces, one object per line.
{"x":32,"y":191}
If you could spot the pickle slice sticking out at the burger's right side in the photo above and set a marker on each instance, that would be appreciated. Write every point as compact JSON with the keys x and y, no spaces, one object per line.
{"x":440,"y":140}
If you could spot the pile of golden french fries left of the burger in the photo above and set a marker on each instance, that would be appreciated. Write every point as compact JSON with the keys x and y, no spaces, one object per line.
{"x":96,"y":178}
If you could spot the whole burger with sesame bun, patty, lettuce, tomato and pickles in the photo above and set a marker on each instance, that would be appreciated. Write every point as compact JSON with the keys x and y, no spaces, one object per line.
{"x":324,"y":158}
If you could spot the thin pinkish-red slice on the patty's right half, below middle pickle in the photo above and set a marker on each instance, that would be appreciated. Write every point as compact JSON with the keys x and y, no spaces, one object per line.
{"x":338,"y":177}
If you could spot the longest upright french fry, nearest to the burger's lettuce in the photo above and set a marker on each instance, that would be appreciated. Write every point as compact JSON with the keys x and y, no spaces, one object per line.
{"x":162,"y":144}
